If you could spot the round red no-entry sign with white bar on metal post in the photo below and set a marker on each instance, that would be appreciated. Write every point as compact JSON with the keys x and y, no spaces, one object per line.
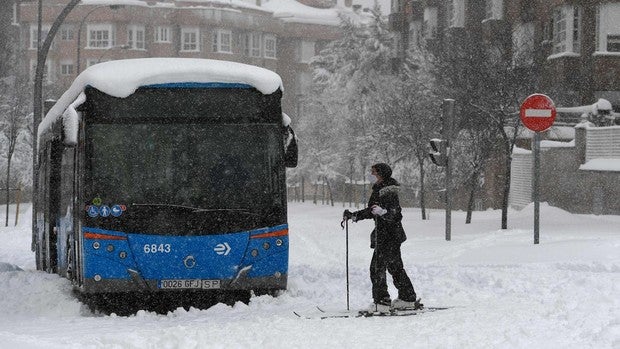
{"x":537,"y":114}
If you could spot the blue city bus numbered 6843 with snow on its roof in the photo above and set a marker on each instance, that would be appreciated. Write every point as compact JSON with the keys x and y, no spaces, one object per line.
{"x":165,"y":176}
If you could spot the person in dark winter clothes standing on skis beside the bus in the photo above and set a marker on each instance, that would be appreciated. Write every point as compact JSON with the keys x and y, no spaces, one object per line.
{"x":385,"y":239}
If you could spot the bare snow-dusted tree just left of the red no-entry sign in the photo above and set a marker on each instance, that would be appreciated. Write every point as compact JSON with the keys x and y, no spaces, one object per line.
{"x":488,"y":86}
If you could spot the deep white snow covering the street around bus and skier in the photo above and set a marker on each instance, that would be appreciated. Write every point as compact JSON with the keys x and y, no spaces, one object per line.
{"x":509,"y":293}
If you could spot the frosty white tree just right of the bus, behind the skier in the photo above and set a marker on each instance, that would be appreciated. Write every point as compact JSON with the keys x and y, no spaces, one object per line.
{"x":339,"y":132}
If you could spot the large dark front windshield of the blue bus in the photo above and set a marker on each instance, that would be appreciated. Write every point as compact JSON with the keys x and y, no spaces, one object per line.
{"x":203,"y":168}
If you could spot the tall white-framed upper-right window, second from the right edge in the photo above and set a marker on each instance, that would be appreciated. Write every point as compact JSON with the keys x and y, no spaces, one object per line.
{"x":566,"y":27}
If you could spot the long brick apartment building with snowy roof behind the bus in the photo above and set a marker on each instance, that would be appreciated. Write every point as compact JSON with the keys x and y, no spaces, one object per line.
{"x":281,"y":35}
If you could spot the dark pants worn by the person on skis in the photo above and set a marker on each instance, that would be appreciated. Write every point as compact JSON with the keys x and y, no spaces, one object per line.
{"x":387,"y":257}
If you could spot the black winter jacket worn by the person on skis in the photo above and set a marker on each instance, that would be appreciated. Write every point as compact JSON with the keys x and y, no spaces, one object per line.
{"x":388,"y":228}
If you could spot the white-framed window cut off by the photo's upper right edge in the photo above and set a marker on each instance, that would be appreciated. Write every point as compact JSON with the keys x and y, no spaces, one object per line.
{"x":608,"y":27}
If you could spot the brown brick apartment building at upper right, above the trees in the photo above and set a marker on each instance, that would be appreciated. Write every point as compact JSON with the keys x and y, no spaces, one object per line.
{"x":574,"y":44}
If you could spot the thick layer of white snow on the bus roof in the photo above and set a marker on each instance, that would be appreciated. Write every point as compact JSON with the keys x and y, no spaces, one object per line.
{"x":121,"y":78}
